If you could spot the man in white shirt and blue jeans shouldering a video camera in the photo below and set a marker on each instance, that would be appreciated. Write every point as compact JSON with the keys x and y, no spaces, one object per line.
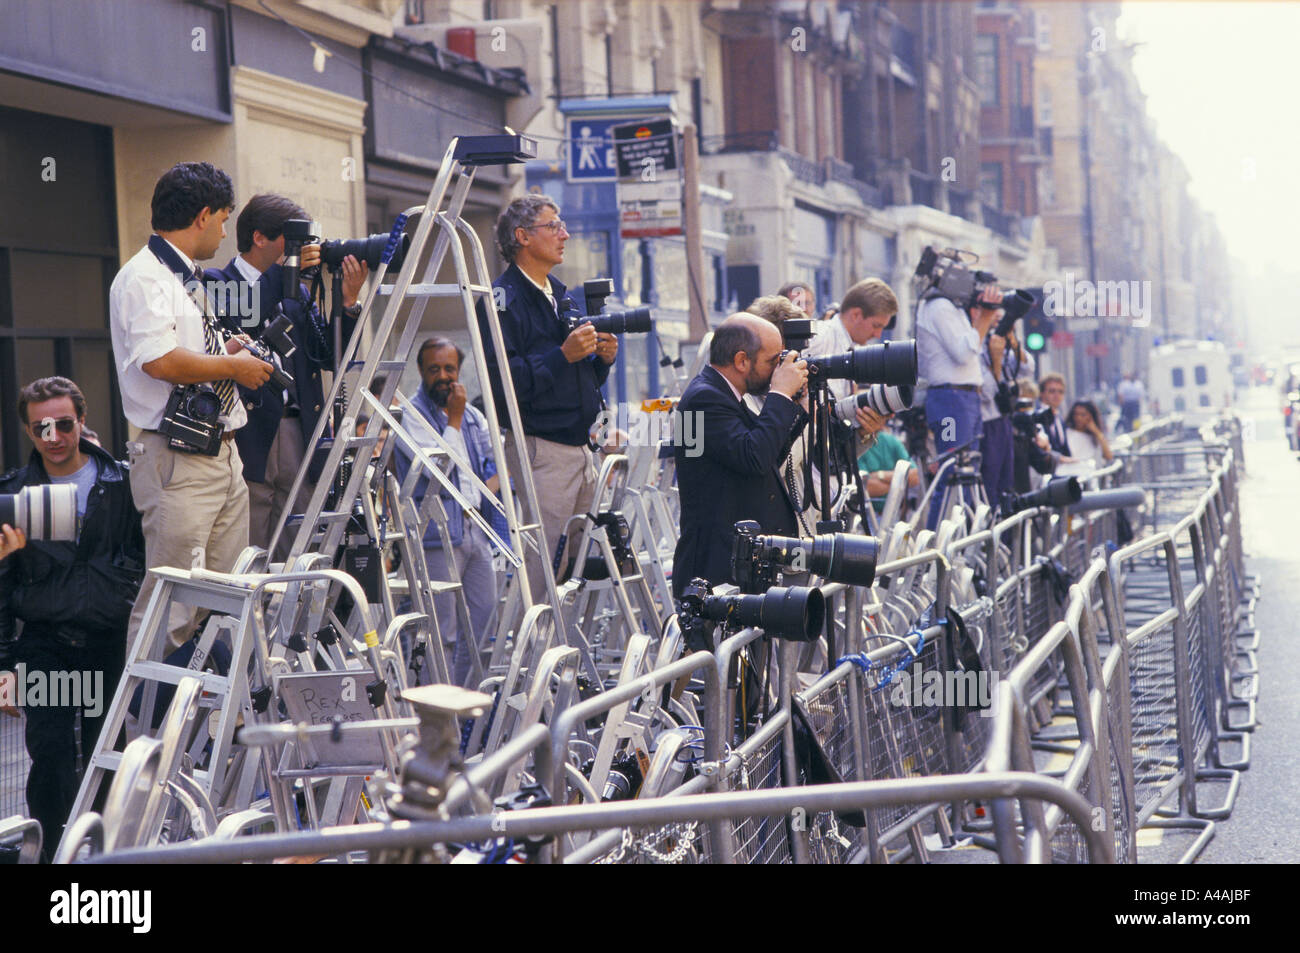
{"x":950,"y":344}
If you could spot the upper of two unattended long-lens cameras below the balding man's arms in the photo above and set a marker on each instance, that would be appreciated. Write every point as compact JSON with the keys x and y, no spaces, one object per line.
{"x":834,"y":557}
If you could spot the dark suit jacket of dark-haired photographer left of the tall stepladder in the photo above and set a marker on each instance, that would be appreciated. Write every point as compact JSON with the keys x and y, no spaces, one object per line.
{"x":266,"y":406}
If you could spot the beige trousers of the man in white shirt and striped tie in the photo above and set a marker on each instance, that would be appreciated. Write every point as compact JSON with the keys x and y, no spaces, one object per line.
{"x":193,"y":509}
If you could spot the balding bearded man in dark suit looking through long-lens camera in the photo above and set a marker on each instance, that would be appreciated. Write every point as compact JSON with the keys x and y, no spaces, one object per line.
{"x":736,"y":475}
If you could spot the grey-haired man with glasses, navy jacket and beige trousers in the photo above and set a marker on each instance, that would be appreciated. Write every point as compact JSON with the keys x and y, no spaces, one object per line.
{"x":557,"y":372}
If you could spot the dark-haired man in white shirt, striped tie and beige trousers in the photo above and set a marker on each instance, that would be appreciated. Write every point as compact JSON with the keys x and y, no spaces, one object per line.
{"x":194,"y":506}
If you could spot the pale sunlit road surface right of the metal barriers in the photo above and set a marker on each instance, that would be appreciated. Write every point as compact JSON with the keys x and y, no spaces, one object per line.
{"x":1266,"y":825}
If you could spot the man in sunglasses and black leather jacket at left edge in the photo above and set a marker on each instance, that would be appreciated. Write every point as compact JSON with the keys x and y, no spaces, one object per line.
{"x":73,"y":599}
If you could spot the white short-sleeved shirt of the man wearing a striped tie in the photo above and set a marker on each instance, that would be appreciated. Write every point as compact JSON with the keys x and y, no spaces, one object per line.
{"x":150,"y":315}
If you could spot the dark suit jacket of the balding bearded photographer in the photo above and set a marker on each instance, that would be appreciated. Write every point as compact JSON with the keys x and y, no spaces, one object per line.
{"x":734,"y":478}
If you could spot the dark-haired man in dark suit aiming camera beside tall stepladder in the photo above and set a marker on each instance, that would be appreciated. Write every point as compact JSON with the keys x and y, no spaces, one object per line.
{"x":281,"y":422}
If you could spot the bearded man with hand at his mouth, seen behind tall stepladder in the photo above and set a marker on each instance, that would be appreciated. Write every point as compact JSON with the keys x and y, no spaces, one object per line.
{"x":441,"y":401}
